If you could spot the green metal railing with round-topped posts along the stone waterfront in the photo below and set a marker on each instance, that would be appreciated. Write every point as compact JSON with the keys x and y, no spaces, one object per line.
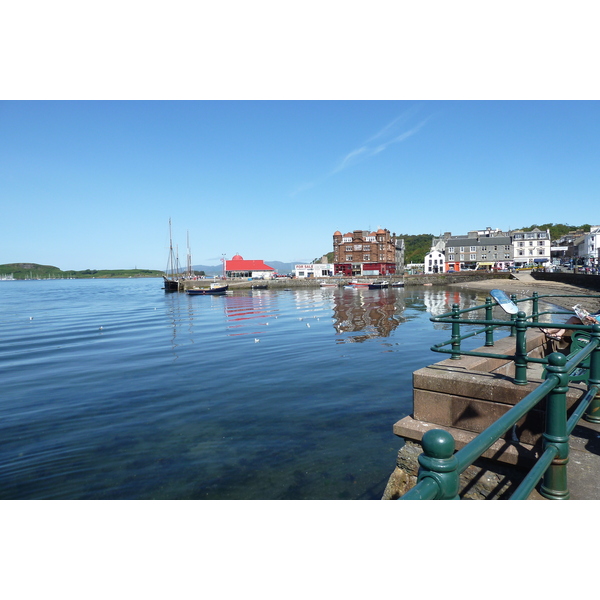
{"x":440,"y":467}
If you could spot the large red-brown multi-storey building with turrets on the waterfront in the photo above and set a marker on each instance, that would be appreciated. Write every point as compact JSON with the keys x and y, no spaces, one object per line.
{"x":367,"y":253}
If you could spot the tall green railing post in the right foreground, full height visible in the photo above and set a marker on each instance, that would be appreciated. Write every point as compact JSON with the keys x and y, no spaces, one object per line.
{"x":554,"y":485}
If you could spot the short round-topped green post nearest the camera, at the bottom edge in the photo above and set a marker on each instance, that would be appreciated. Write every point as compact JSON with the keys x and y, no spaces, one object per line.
{"x":439,"y":463}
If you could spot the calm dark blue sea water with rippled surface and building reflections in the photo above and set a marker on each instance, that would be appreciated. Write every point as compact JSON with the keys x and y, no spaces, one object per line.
{"x":117,"y":390}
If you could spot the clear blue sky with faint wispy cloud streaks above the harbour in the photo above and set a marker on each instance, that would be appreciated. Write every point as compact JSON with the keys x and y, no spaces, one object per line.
{"x":92,"y":184}
